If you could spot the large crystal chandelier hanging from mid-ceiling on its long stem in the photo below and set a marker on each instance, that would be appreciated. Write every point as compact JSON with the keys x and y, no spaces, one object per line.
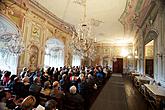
{"x":82,"y":43}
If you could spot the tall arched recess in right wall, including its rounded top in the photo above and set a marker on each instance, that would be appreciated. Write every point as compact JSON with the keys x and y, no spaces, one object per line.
{"x":150,"y":54}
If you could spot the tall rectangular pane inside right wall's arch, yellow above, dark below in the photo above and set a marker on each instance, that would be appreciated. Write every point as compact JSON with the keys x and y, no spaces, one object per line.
{"x":149,"y":59}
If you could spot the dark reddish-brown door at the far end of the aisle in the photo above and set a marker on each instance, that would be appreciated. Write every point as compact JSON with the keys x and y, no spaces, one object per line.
{"x":118,"y":65}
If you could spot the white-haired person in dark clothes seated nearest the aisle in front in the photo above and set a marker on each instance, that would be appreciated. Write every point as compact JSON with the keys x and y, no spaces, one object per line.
{"x":73,"y":101}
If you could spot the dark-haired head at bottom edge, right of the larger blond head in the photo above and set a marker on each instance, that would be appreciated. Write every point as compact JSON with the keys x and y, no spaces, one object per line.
{"x":50,"y":105}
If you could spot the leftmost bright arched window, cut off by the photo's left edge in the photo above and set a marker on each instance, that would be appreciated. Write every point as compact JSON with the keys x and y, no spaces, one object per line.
{"x":8,"y":31}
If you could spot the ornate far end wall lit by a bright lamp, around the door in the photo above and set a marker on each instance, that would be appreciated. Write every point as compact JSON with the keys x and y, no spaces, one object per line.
{"x":108,"y":53}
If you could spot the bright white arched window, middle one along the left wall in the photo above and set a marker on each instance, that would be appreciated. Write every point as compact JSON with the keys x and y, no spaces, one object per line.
{"x":54,"y":53}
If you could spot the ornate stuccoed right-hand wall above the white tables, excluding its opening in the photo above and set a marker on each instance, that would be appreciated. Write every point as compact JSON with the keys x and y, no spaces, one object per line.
{"x":146,"y":20}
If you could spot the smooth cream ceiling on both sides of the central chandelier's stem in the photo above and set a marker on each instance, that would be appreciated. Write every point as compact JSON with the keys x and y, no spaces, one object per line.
{"x":106,"y":12}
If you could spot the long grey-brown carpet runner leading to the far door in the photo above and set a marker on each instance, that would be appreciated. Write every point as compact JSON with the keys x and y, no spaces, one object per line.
{"x":112,"y":96}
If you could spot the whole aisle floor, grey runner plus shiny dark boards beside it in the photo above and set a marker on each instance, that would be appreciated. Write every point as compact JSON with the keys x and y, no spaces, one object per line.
{"x":119,"y":94}
